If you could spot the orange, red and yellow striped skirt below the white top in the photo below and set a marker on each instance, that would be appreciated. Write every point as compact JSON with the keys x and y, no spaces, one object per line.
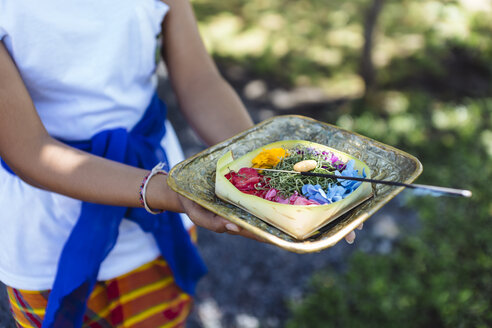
{"x":145,"y":297}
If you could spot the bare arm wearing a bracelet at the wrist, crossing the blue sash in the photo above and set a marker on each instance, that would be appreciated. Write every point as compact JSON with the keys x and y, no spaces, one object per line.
{"x":44,"y":162}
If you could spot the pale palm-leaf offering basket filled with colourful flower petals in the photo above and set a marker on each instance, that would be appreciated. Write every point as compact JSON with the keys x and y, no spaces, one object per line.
{"x":264,"y":183}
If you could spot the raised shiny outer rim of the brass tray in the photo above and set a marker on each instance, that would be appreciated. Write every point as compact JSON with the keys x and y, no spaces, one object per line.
{"x":305,"y":246}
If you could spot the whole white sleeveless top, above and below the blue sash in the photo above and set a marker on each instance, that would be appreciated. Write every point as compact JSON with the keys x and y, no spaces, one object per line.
{"x":89,"y":65}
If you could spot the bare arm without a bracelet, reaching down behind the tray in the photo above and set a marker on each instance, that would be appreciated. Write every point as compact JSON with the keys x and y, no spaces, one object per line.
{"x":209,"y":103}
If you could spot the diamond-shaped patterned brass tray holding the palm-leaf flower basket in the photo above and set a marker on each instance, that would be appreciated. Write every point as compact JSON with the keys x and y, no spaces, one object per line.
{"x":194,"y":178}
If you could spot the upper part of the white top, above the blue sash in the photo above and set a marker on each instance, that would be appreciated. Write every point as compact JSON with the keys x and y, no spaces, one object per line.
{"x":86,"y":63}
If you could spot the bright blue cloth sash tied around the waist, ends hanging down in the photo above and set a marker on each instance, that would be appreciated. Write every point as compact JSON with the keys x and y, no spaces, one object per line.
{"x":95,"y":233}
